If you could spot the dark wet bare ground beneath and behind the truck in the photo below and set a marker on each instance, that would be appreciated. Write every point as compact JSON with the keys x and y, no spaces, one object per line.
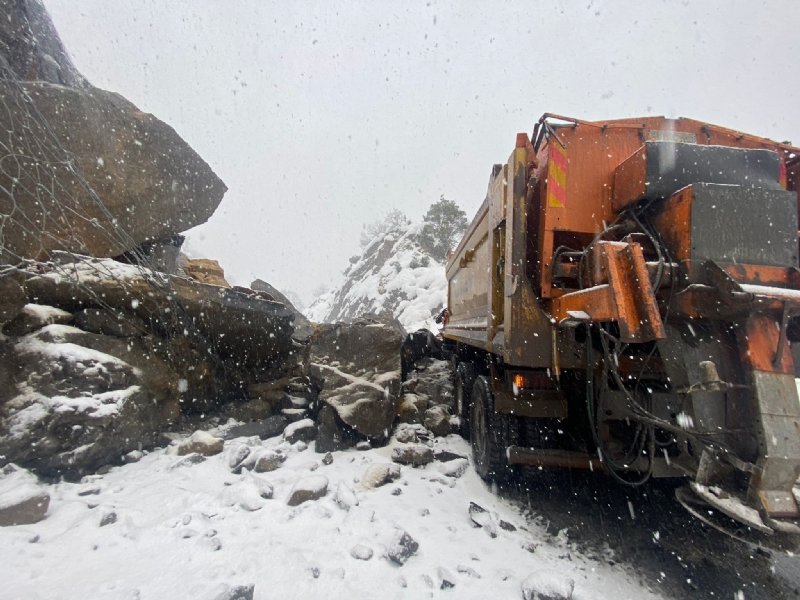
{"x":645,"y":528}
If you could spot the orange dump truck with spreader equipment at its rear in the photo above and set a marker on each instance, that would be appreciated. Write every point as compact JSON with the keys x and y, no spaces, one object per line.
{"x":627,"y":299}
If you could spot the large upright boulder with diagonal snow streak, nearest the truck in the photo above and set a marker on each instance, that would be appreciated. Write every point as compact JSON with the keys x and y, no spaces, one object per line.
{"x":359,"y":364}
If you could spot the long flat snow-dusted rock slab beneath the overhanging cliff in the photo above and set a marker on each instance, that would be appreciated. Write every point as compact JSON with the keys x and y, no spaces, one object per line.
{"x":236,"y":323}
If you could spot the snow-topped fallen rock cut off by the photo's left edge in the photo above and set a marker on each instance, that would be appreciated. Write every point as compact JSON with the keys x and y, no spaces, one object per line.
{"x":23,"y":500}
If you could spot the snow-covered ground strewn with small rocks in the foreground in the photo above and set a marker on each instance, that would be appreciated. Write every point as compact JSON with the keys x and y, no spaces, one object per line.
{"x":166,"y":528}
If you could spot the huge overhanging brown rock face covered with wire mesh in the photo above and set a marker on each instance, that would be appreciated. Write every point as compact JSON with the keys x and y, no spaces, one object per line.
{"x":114,"y":195}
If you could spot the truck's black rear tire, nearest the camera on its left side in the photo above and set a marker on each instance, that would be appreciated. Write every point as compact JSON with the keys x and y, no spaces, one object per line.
{"x":491,"y":434}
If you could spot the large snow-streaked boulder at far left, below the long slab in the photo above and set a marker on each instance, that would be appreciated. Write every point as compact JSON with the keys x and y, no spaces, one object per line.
{"x":83,"y":400}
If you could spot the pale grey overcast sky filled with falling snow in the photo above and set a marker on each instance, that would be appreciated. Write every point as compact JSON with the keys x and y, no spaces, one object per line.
{"x":322,"y":116}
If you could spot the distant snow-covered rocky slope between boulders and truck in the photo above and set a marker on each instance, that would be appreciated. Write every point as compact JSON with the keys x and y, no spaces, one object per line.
{"x":393,"y":274}
